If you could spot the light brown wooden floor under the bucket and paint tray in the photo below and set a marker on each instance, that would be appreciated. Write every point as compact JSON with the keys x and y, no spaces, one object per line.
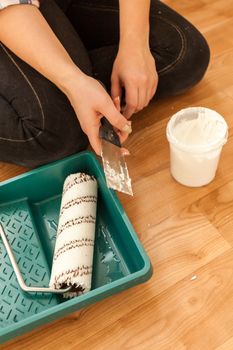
{"x":188,"y":233}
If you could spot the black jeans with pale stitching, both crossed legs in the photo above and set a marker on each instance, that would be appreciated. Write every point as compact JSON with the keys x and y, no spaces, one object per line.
{"x":37,"y":123}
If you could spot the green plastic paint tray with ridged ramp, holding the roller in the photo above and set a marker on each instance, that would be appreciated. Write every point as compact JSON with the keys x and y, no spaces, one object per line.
{"x":29,"y":210}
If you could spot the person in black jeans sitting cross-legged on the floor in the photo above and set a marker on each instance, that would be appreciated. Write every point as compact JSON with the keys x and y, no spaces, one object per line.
{"x":57,"y":56}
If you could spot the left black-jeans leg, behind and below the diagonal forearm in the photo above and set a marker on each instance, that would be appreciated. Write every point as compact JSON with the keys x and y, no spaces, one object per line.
{"x":37,"y":122}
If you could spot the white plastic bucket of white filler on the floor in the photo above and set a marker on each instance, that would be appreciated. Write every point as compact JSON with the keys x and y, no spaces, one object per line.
{"x":194,"y":164}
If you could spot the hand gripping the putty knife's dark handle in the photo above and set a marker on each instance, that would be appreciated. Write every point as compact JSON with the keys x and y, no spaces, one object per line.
{"x":90,"y":102}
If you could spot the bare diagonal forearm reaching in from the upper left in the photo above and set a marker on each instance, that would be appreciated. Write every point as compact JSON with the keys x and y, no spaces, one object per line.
{"x":25,"y":32}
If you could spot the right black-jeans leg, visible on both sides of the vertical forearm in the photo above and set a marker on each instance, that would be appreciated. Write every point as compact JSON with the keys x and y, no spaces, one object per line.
{"x":180,"y":51}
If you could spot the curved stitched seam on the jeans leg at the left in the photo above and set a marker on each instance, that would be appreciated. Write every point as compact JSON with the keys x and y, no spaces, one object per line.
{"x":35,"y":94}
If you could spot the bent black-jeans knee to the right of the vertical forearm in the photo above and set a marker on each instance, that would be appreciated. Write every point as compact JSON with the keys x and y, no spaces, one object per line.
{"x":180,"y":50}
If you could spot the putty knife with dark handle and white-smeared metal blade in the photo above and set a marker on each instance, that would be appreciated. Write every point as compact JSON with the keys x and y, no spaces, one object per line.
{"x":115,"y":167}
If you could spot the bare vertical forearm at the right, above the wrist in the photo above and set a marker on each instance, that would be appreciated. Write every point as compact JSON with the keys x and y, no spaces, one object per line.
{"x":134,"y":22}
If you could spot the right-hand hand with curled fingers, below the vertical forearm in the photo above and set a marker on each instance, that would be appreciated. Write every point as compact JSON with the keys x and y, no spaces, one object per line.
{"x":134,"y":68}
